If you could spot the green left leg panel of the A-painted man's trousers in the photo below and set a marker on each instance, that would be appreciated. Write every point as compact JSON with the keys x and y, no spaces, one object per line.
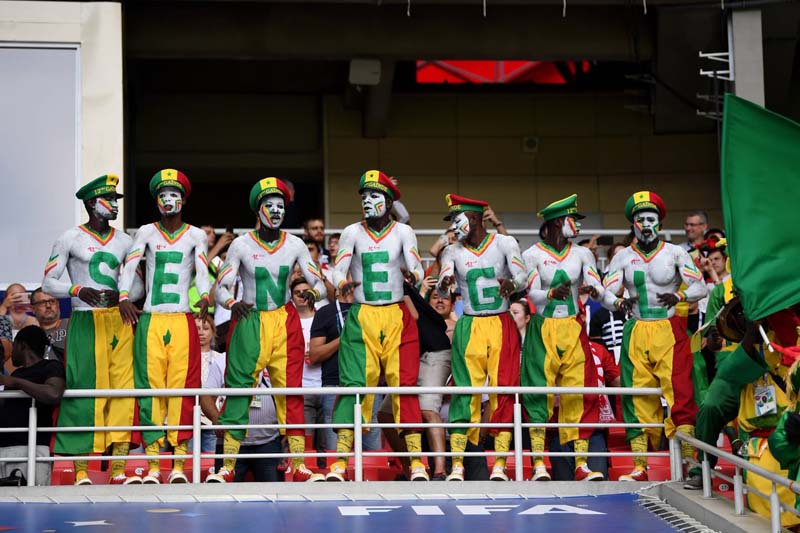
{"x":534,"y":355}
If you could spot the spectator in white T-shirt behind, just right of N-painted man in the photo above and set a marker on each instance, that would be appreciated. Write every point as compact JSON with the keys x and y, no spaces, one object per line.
{"x":312,"y":372}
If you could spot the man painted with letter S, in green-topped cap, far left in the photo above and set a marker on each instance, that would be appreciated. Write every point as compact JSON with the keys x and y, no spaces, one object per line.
{"x":99,"y":345}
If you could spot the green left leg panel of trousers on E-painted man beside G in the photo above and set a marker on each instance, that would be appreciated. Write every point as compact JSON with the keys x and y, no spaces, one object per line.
{"x":352,"y":365}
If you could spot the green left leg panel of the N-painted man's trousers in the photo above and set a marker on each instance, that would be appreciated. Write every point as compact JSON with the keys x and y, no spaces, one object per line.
{"x":243,"y":353}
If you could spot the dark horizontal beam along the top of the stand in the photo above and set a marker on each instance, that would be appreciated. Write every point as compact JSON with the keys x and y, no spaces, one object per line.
{"x":314,"y":31}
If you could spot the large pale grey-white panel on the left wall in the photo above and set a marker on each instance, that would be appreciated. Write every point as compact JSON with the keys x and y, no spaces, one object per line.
{"x":38,"y":156}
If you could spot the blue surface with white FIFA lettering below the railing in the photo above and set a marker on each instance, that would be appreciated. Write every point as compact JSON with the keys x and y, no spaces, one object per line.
{"x":618,"y":512}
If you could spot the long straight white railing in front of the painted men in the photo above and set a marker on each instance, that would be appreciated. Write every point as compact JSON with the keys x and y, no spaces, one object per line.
{"x":517,"y":424}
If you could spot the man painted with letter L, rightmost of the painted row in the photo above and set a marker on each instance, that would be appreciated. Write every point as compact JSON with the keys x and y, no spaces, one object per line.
{"x":657,"y":350}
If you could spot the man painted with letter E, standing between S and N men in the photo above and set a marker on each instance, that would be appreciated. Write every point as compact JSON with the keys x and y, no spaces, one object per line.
{"x":166,"y":352}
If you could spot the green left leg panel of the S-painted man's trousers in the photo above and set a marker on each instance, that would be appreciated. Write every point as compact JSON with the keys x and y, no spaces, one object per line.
{"x":81,"y":374}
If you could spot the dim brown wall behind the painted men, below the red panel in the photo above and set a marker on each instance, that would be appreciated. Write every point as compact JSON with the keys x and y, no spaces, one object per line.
{"x":472,"y":145}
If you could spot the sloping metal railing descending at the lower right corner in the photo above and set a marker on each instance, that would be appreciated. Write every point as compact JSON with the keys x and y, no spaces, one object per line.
{"x":739,"y":488}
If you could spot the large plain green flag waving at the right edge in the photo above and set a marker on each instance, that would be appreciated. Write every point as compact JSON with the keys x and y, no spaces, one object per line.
{"x":760,"y":202}
